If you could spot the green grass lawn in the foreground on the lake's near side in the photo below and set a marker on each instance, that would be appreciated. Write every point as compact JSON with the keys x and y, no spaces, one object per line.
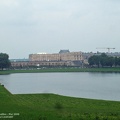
{"x":55,"y":107}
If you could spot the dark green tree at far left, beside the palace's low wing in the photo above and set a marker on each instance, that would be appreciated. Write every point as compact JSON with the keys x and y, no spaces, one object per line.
{"x":4,"y":61}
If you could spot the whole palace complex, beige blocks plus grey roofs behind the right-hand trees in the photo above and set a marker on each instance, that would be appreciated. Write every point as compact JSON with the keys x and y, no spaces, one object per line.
{"x":63,"y":58}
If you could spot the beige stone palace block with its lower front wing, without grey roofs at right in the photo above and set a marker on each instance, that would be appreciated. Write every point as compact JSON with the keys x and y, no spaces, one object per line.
{"x":63,"y":58}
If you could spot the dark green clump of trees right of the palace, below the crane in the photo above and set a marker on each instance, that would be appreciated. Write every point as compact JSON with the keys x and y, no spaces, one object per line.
{"x":103,"y":61}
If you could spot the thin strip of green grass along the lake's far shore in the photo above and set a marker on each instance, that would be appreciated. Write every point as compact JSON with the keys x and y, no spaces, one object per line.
{"x":62,"y":70}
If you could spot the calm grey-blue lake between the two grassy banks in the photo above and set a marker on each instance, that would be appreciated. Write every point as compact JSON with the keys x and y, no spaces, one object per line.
{"x":104,"y":86}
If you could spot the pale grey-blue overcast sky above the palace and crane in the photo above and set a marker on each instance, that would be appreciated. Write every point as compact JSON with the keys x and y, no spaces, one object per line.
{"x":37,"y":26}
